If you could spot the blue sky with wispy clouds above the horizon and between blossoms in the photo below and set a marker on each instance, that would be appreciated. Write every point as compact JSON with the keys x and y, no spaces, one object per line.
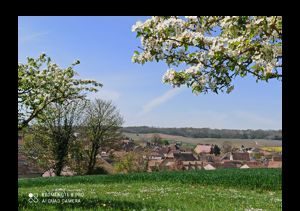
{"x":104,"y":46}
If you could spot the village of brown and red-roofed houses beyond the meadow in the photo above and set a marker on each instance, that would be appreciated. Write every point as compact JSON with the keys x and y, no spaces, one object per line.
{"x":171,"y":157}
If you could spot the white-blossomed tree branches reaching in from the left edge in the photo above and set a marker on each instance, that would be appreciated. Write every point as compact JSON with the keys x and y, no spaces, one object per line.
{"x":41,"y":82}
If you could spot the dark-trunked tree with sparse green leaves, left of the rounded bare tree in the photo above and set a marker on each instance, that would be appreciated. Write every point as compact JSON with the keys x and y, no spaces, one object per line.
{"x":53,"y":136}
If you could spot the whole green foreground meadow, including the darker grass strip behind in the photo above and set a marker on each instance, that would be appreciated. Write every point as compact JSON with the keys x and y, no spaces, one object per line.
{"x":224,"y":189}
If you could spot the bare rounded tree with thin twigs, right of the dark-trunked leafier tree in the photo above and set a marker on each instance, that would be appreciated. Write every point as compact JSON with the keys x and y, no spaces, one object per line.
{"x":102,"y":123}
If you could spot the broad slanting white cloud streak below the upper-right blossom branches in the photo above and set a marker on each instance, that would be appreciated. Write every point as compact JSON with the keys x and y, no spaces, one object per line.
{"x":156,"y":102}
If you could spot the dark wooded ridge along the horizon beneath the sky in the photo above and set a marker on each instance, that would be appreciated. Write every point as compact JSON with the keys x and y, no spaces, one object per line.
{"x":209,"y":133}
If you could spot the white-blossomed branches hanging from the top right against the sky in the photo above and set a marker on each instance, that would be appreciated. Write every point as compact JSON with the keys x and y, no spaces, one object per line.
{"x":214,"y":49}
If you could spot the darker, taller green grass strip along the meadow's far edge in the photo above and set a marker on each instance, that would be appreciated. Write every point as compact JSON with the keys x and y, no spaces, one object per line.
{"x":265,"y":179}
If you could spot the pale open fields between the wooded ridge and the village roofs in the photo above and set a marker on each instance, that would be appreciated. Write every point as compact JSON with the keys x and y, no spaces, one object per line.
{"x":140,"y":138}
